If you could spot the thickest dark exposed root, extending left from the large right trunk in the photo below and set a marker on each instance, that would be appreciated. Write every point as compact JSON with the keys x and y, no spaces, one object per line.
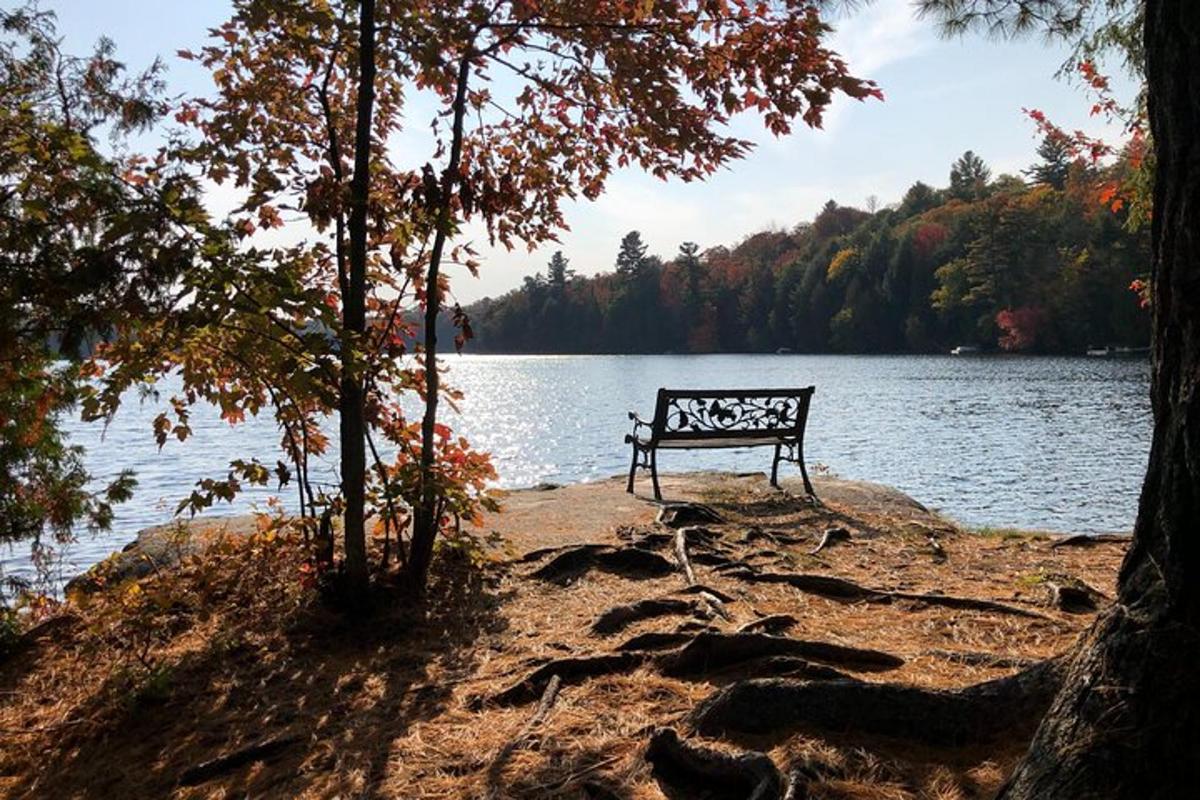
{"x":976,"y":714}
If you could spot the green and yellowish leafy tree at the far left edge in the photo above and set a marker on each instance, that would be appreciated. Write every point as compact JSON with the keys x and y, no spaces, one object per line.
{"x":91,"y":233}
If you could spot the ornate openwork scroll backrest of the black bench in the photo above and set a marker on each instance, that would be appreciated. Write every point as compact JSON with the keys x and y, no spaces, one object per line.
{"x":731,"y":414}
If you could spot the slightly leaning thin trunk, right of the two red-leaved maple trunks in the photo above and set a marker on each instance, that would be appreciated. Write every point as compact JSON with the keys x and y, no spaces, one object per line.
{"x":425,"y":518}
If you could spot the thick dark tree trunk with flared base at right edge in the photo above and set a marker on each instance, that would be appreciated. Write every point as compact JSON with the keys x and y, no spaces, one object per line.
{"x":1127,"y":723}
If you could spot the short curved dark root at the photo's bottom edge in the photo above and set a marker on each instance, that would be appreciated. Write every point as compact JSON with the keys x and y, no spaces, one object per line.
{"x":687,"y":771}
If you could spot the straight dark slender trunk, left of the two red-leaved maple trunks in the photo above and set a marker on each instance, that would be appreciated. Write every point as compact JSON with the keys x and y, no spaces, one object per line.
{"x":353,"y":425}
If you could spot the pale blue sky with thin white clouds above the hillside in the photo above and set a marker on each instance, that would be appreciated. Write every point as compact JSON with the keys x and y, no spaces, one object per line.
{"x":941,"y":98}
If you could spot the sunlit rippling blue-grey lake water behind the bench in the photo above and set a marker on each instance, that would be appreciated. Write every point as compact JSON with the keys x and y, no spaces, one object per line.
{"x":1057,"y":444}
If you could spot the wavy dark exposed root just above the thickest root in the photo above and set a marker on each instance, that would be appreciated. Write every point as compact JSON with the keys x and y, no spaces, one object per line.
{"x":710,"y":652}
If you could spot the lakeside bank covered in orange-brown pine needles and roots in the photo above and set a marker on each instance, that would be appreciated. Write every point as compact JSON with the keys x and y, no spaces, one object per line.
{"x":429,"y":701}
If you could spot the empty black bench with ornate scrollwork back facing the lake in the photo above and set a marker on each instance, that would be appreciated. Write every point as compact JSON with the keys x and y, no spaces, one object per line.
{"x":687,"y":419}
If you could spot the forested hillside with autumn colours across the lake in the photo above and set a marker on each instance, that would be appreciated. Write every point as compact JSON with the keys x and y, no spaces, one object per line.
{"x":1042,"y":263}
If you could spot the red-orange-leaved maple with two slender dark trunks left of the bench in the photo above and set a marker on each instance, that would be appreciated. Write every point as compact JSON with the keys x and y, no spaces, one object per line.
{"x":536,"y":104}
